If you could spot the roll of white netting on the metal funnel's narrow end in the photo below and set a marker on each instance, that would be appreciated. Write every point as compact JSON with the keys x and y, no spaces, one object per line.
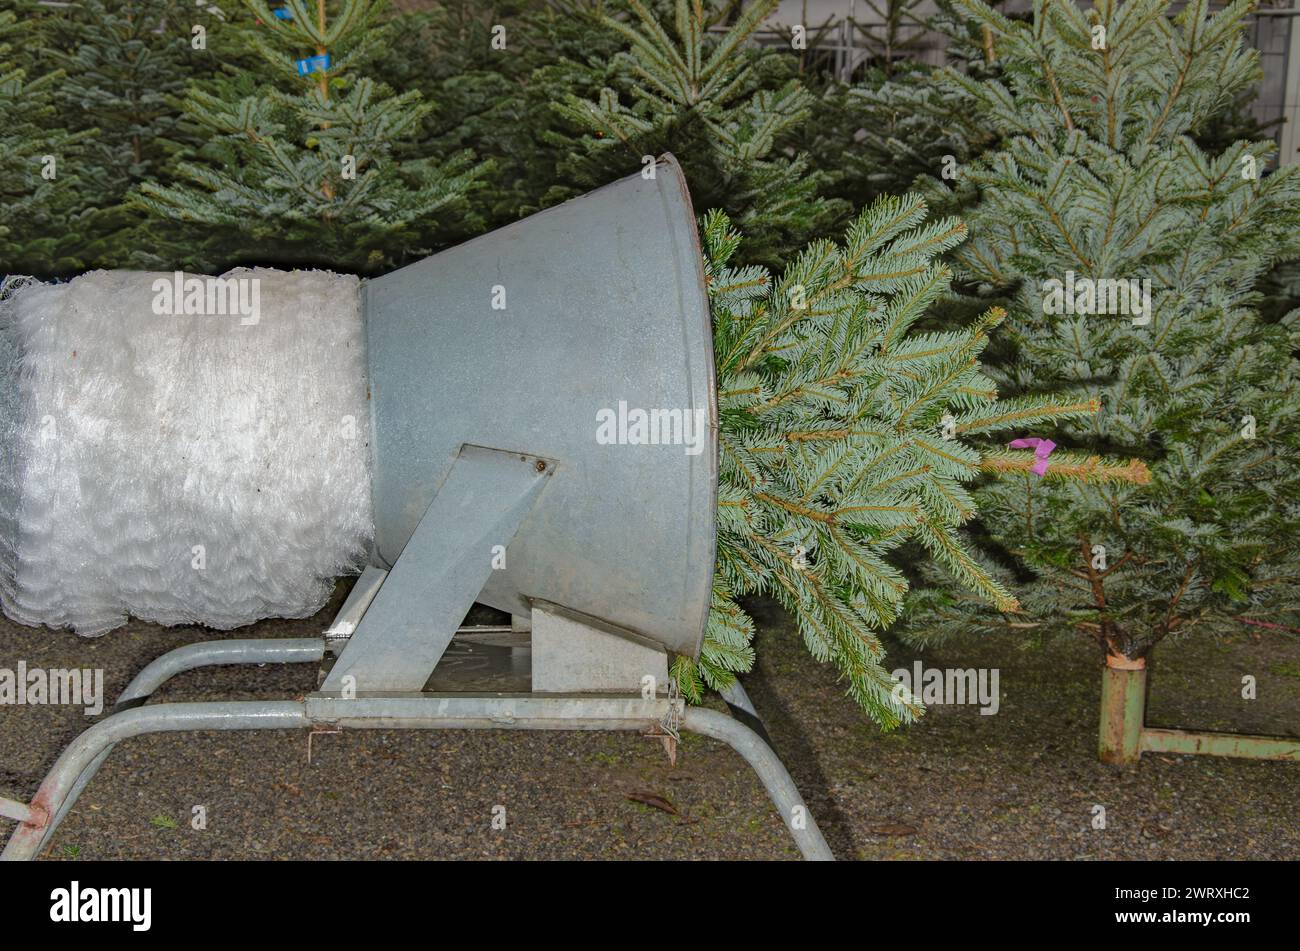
{"x":181,"y":468}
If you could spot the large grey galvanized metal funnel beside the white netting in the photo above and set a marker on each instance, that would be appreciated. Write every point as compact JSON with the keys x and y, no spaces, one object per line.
{"x":580,"y":337}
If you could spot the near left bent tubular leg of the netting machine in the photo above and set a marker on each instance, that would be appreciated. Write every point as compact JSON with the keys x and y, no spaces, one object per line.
{"x":60,"y":785}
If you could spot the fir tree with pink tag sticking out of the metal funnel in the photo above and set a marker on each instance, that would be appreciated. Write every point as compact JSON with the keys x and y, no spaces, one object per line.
{"x":844,"y":435}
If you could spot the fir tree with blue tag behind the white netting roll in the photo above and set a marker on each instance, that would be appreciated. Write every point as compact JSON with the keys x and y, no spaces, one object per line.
{"x":315,"y":160}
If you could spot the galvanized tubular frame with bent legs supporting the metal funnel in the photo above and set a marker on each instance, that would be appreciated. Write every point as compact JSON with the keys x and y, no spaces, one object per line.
{"x":79,"y":765}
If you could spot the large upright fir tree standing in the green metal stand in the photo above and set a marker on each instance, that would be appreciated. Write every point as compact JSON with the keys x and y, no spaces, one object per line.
{"x":1100,"y":180}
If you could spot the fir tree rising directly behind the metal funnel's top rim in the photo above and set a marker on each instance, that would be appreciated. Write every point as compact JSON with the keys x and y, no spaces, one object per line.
{"x":730,"y":114}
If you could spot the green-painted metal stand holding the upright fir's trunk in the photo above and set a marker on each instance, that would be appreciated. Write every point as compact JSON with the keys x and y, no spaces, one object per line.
{"x":1125,"y":736}
